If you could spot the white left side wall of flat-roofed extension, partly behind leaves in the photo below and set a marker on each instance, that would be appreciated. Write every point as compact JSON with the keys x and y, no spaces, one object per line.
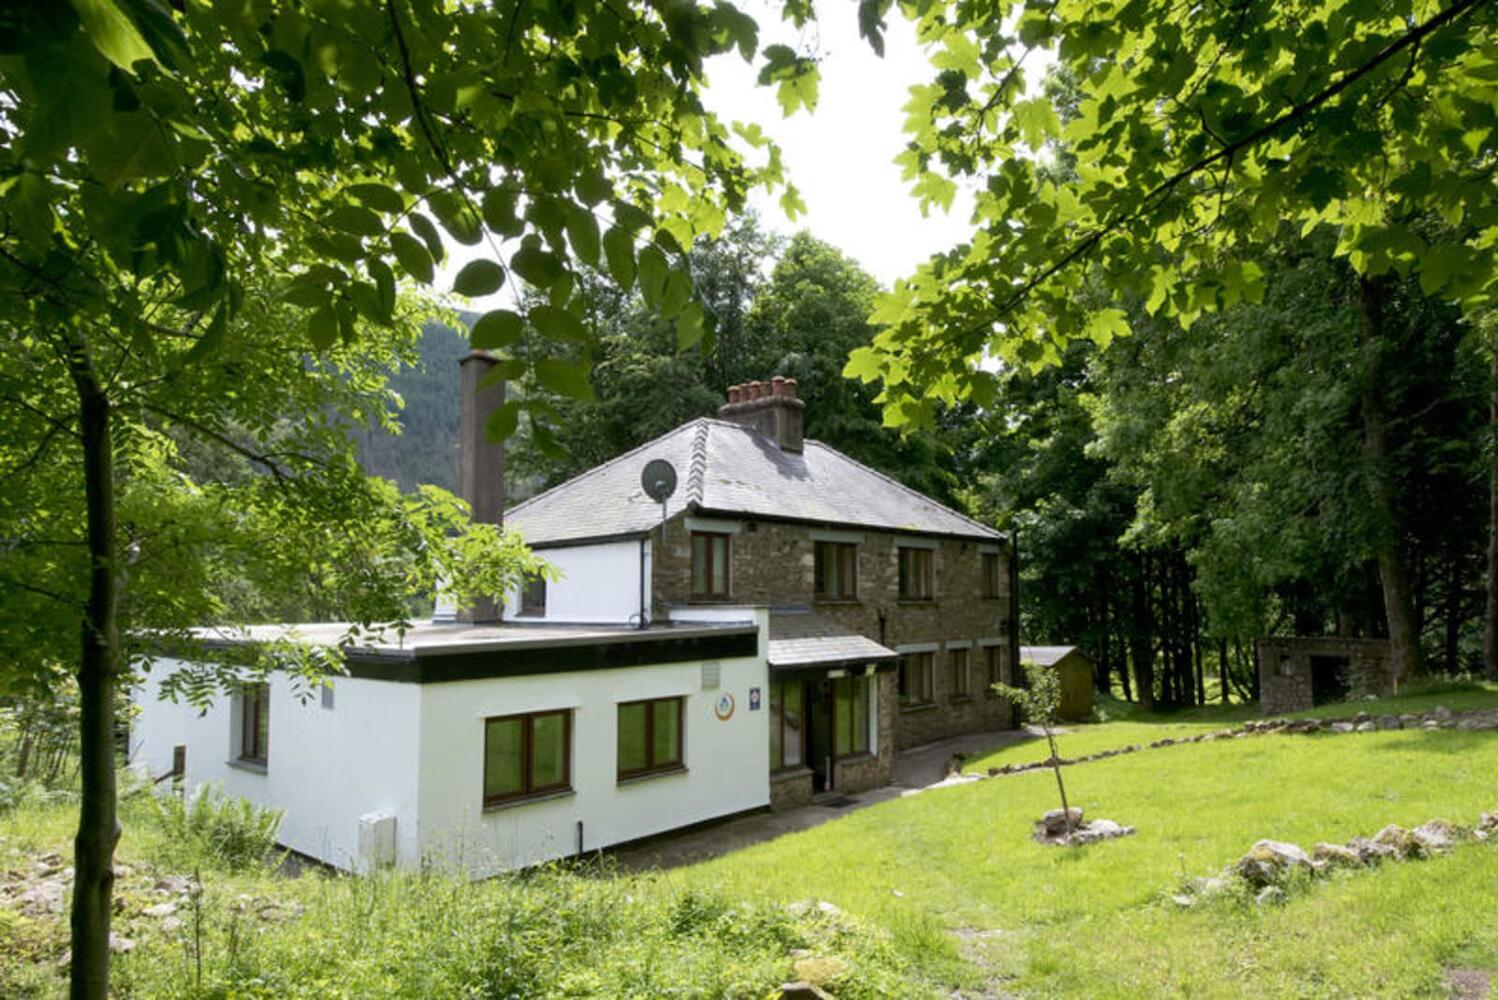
{"x":326,"y":767}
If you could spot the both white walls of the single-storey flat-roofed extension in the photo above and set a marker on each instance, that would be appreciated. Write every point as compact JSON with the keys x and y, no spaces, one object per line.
{"x":417,"y":752}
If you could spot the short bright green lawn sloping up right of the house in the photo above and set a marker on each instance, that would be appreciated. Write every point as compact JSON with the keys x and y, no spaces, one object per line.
{"x":1097,"y":921}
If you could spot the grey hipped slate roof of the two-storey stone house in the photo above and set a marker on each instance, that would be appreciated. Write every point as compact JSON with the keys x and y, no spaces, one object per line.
{"x":735,"y":471}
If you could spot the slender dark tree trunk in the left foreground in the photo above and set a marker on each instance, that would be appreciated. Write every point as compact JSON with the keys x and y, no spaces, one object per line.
{"x":98,"y":818}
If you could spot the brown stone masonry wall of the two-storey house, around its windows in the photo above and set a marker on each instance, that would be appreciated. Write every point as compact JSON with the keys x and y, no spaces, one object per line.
{"x":774,"y":564}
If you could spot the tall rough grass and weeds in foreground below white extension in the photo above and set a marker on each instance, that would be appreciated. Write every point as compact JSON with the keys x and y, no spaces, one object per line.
{"x":243,"y":930}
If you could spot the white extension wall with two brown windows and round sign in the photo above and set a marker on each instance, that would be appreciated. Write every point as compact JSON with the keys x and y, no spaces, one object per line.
{"x":727,"y":763}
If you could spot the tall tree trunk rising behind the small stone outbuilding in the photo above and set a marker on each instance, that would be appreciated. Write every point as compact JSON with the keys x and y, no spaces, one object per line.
{"x":1394,"y":576}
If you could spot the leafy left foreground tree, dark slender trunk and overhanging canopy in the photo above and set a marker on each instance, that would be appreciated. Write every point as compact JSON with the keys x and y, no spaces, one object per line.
{"x":166,"y":168}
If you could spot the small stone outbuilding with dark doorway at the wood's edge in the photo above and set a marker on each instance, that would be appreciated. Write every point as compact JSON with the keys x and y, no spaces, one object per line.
{"x":1301,"y":673}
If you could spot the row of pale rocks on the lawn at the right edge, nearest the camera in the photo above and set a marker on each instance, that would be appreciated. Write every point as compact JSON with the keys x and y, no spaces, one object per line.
{"x":1271,"y":866}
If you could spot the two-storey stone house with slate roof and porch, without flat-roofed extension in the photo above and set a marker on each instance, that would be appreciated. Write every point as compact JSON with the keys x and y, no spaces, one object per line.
{"x":889,"y":613}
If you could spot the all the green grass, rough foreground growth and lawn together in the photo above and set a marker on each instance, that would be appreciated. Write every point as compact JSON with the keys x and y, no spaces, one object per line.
{"x":909,"y":874}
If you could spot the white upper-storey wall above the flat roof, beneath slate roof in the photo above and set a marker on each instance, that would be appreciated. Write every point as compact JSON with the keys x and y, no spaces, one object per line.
{"x":600,"y":585}
